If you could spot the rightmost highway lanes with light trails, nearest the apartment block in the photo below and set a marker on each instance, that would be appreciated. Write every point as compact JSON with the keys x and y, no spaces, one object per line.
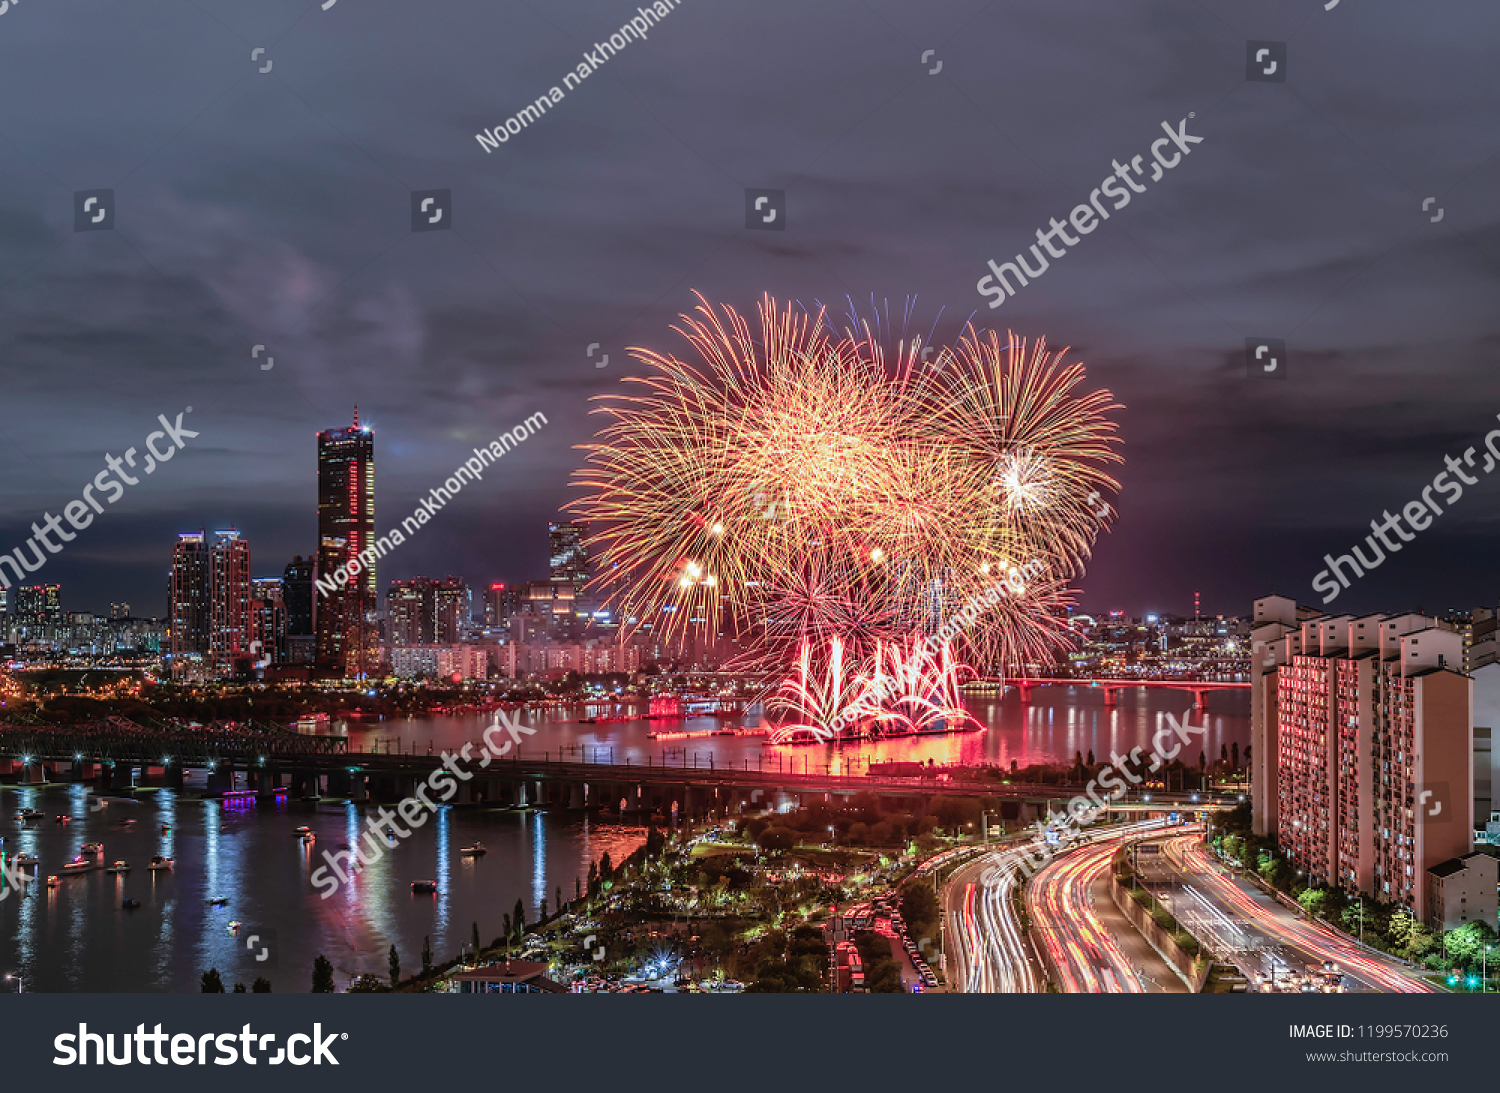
{"x":1261,"y":935}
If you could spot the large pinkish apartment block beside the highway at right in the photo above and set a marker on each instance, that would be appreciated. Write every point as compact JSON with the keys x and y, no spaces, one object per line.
{"x":1363,"y":747}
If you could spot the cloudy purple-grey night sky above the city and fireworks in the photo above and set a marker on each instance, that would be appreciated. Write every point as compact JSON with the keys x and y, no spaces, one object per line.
{"x":275,"y":209}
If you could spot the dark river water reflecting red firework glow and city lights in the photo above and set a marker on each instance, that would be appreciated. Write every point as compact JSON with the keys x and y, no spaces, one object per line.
{"x":79,"y":936}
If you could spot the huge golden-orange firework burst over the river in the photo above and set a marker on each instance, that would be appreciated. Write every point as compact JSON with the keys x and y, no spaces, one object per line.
{"x":841,"y":497}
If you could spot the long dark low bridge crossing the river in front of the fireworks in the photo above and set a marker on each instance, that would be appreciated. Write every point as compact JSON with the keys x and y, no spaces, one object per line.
{"x":574,"y":777}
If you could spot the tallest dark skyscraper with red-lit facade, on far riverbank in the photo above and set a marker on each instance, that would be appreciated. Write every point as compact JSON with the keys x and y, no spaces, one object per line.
{"x":347,"y":620}
